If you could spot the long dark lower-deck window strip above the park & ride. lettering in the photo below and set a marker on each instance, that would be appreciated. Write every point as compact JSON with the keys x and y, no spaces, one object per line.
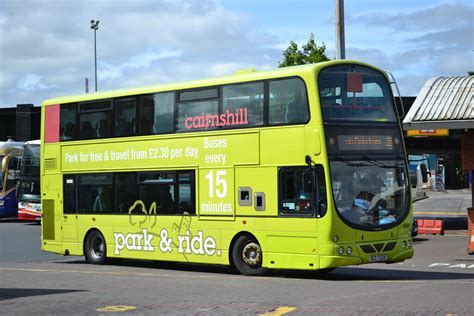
{"x":166,"y":192}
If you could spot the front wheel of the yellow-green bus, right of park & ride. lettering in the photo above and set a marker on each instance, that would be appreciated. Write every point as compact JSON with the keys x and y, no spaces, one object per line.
{"x":247,"y":256}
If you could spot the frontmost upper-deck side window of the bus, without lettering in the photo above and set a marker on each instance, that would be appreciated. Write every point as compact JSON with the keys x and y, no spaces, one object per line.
{"x":288,"y":103}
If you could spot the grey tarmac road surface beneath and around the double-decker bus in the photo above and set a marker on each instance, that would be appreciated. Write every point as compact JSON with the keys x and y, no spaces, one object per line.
{"x":438,"y":281}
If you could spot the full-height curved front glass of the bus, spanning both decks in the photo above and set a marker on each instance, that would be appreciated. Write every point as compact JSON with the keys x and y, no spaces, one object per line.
{"x":365,"y":147}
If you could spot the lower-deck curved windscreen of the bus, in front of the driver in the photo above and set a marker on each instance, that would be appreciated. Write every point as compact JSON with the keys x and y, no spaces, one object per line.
{"x":370,"y":194}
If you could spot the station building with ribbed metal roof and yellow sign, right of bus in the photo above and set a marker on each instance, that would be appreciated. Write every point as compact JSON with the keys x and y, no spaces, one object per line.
{"x":441,"y":122}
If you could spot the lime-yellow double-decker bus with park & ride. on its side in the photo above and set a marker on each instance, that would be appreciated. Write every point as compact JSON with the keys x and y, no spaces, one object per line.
{"x":296,"y":168}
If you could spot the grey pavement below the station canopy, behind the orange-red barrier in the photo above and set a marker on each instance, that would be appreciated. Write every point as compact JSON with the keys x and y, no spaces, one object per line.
{"x":449,"y":205}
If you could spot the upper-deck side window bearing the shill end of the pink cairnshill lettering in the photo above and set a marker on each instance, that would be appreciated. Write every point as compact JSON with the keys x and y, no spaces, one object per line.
{"x":243,"y":105}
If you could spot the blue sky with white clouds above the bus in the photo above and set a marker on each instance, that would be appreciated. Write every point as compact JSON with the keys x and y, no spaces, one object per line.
{"x":47,"y":46}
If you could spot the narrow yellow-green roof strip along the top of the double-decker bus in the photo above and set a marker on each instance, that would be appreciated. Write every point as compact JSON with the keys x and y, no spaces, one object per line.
{"x":238,"y":76}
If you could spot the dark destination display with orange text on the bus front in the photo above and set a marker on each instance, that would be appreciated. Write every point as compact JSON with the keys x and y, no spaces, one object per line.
{"x":365,"y":142}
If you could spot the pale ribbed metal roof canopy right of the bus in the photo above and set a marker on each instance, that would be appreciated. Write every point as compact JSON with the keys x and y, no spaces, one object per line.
{"x":443,"y":102}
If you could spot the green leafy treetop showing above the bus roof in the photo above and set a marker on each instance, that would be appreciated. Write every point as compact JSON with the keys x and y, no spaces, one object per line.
{"x":310,"y":53}
